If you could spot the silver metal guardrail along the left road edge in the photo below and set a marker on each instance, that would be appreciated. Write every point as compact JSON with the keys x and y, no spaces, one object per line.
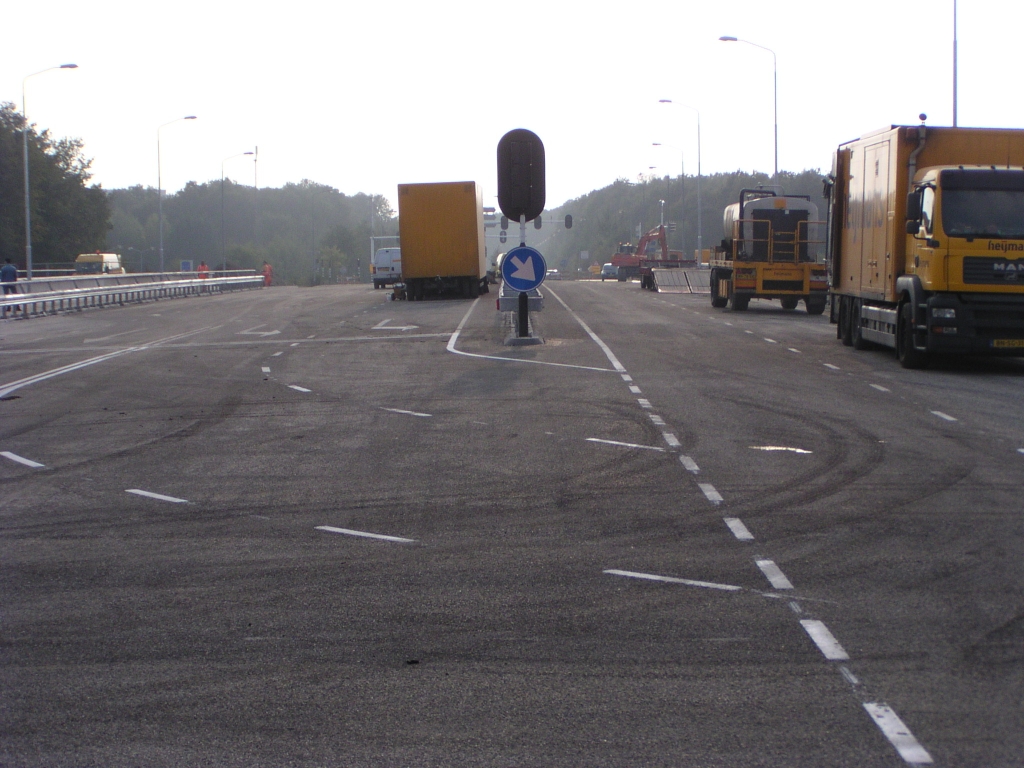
{"x":53,"y":295}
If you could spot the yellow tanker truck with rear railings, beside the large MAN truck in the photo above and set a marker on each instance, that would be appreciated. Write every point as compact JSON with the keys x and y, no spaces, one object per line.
{"x":774,"y":249}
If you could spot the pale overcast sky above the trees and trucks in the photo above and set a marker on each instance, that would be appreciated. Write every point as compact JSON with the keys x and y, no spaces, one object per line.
{"x":363,"y":97}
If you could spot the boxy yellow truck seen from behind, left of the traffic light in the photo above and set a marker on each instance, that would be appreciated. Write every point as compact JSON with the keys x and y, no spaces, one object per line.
{"x":441,"y":229}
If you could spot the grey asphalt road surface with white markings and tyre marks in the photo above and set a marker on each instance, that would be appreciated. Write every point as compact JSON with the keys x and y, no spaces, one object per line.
{"x":315,"y":528}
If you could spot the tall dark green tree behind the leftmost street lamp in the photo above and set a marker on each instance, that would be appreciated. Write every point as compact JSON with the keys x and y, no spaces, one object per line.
{"x":68,"y":216}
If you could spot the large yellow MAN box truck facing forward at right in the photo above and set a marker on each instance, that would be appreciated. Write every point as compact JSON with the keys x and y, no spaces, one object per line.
{"x":926,"y":242}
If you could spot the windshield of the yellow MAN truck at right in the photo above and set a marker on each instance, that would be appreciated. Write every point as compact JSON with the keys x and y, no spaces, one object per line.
{"x":984,"y":204}
